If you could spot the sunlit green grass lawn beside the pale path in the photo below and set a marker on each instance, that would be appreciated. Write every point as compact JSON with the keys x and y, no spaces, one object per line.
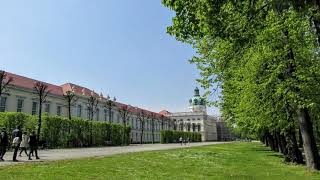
{"x":226,"y":161}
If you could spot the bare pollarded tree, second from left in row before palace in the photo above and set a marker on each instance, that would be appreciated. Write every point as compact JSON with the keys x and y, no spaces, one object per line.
{"x":41,"y":91}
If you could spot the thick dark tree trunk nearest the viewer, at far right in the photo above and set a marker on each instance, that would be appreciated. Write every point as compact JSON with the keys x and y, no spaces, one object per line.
{"x":309,"y":143}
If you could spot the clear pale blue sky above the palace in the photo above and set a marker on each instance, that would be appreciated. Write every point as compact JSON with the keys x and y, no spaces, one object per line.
{"x":118,"y":47}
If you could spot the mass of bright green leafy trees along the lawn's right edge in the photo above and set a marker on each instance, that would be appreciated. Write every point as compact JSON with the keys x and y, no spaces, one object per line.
{"x":264,"y":57}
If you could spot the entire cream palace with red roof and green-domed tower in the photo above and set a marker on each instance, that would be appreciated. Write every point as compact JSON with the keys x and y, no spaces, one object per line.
{"x":22,"y":98}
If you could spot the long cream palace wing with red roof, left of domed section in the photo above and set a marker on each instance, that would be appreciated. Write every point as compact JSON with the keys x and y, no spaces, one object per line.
{"x":23,"y":99}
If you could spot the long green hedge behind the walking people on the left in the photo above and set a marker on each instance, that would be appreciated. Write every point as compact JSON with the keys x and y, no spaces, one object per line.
{"x":60,"y":132}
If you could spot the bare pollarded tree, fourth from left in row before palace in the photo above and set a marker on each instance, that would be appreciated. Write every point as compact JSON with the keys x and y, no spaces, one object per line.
{"x":92,"y":106}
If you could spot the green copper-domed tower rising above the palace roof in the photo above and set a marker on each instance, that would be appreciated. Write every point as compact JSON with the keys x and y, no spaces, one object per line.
{"x":197,"y":103}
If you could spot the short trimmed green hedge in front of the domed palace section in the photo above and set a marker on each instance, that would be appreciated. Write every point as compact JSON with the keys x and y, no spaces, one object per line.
{"x":173,"y":136}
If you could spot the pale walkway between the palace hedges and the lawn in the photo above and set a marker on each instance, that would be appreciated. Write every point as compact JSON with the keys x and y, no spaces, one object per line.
{"x":63,"y":154}
